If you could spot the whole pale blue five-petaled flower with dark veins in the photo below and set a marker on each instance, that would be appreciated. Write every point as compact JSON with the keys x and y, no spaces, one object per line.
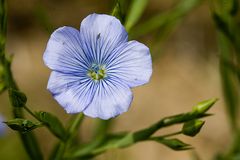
{"x":94,"y":68}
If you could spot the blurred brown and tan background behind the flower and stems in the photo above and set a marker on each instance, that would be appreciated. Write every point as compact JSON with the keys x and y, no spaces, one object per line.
{"x":185,"y":71}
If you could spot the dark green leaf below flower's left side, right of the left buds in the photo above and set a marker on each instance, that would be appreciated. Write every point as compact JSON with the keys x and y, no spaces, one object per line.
{"x":53,"y":124}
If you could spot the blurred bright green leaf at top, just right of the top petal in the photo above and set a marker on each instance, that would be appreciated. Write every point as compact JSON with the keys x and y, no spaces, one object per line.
{"x":135,"y":12}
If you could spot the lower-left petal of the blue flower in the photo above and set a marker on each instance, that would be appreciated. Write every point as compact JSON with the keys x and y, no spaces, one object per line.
{"x":73,"y":93}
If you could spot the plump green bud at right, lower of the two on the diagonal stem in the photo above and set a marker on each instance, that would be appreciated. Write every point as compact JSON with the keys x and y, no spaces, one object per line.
{"x":192,"y":128}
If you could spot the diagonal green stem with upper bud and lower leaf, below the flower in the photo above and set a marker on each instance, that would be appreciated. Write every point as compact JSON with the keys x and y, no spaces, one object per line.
{"x":128,"y":139}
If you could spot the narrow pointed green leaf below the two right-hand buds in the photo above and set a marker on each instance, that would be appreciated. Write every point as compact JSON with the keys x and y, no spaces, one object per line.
{"x":174,"y":143}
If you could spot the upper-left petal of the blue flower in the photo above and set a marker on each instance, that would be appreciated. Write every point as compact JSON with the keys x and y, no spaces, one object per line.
{"x":64,"y":53}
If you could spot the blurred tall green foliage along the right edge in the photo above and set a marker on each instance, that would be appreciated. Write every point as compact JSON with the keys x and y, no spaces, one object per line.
{"x":224,"y":13}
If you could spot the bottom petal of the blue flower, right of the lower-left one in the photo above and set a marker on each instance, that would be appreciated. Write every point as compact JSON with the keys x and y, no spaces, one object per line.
{"x":111,"y":99}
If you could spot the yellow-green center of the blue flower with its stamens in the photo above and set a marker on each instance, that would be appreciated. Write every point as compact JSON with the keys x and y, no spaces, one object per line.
{"x":97,"y":72}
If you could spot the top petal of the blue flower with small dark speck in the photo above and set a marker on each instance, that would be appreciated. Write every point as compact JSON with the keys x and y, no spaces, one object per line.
{"x":100,"y":35}
